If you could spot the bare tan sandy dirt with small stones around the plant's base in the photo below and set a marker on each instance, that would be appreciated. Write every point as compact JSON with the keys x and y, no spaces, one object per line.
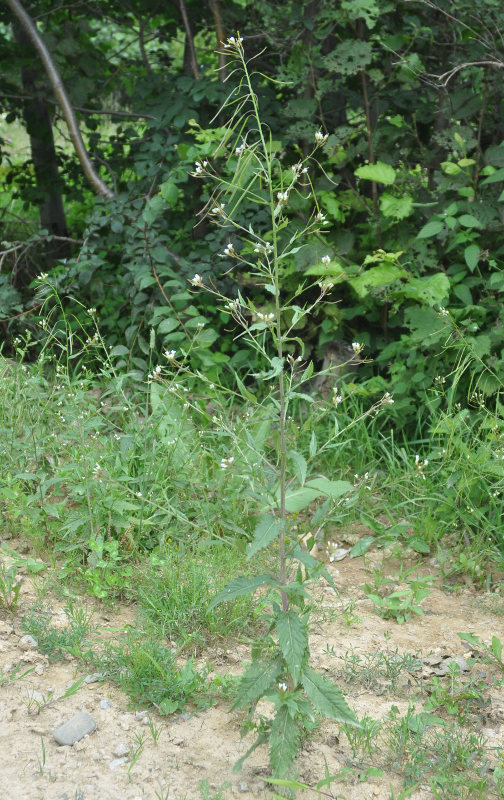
{"x":204,"y":746}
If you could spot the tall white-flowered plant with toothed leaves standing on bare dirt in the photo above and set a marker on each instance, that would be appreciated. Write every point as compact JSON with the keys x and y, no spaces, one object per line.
{"x":280,"y":670}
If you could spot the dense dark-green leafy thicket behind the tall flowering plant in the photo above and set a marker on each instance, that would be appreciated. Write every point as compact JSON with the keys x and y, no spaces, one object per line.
{"x":410,"y":180}
